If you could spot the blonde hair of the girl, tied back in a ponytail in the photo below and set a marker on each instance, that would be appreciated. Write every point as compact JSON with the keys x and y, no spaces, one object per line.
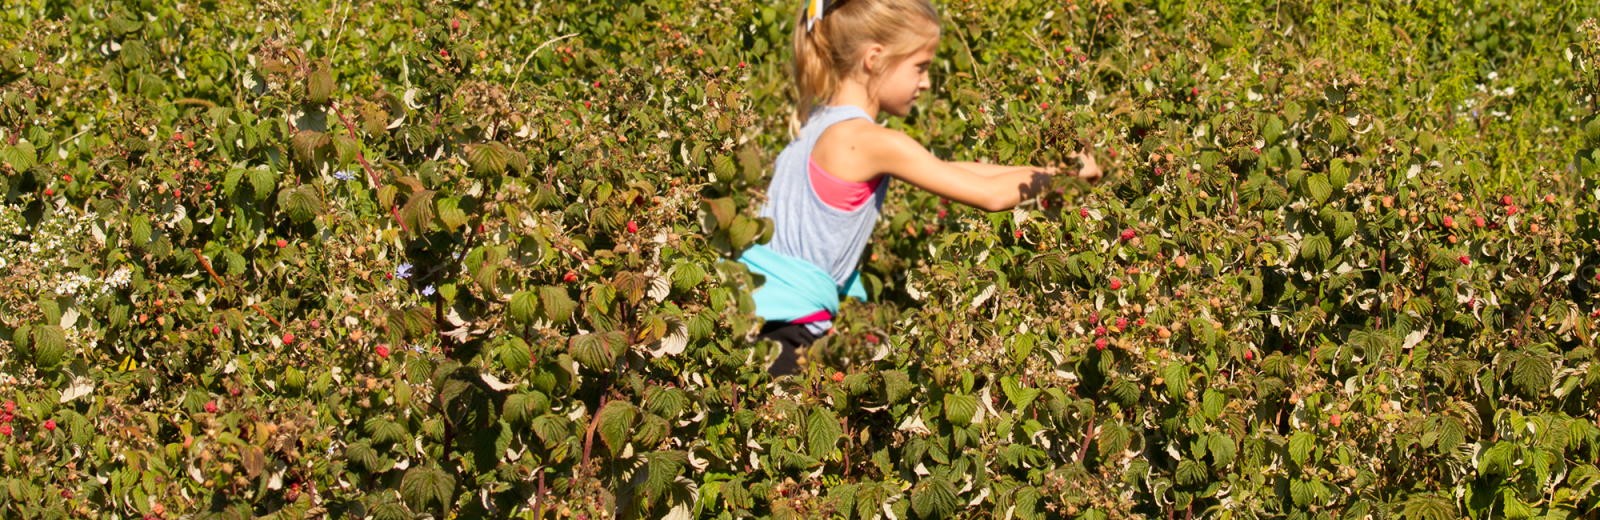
{"x":828,"y":54}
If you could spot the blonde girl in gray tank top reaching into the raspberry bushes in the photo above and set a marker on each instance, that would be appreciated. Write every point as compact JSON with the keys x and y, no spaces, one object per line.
{"x":857,"y":60}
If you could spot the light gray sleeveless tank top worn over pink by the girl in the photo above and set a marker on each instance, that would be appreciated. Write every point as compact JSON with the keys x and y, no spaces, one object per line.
{"x":806,"y":226}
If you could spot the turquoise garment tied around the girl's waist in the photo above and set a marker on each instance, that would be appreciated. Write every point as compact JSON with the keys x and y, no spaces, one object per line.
{"x":794,"y":287}
